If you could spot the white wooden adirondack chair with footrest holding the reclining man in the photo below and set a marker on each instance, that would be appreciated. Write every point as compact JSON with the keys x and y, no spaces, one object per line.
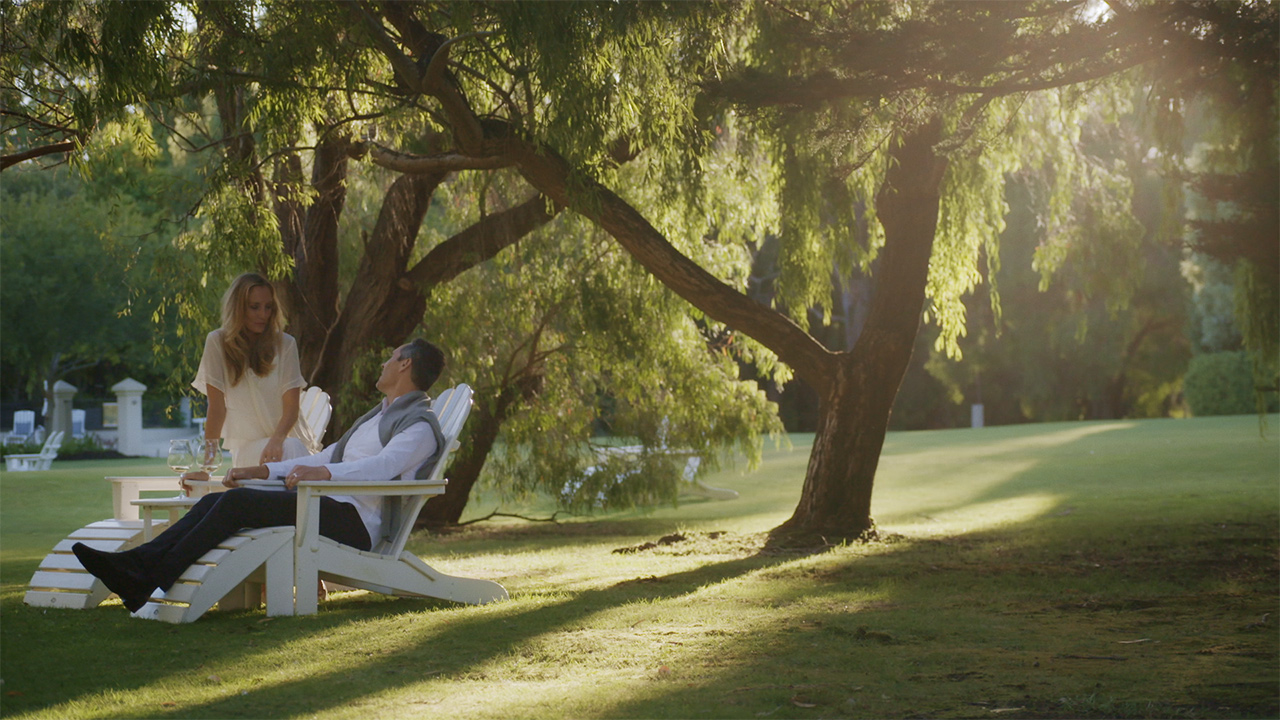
{"x":298,"y":557}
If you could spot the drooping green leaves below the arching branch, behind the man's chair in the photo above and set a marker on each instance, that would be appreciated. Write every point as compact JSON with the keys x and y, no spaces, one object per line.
{"x":611,"y":350}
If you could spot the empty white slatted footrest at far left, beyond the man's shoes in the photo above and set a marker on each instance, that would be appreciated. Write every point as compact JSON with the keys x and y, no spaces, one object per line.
{"x":63,"y":582}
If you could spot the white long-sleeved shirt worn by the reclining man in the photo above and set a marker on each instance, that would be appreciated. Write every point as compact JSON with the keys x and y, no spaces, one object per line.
{"x":367,"y":461}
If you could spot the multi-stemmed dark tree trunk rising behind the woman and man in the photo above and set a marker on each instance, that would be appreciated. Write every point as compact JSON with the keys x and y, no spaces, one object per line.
{"x":387,"y":300}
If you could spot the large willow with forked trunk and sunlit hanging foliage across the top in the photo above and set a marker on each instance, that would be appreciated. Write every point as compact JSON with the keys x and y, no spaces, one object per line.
{"x":886,"y":131}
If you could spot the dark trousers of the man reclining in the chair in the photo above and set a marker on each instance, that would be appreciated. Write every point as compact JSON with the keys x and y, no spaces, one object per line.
{"x":221,"y":516}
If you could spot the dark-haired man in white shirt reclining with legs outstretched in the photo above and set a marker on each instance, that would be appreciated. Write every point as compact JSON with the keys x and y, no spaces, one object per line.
{"x":397,"y":439}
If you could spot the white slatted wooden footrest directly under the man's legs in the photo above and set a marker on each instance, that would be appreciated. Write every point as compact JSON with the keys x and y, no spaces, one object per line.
{"x":232,"y":576}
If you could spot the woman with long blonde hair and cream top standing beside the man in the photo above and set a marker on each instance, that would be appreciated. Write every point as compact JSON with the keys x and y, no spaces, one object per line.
{"x":252,"y":376}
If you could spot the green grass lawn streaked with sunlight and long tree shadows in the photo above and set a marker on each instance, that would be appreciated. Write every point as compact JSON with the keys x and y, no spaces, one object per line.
{"x":1119,"y":569}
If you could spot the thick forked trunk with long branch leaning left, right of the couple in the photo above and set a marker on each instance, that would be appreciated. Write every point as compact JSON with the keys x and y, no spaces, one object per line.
{"x":857,"y":388}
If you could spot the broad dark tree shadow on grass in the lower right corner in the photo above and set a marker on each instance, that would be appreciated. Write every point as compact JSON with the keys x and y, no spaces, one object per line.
{"x":1101,"y":630}
